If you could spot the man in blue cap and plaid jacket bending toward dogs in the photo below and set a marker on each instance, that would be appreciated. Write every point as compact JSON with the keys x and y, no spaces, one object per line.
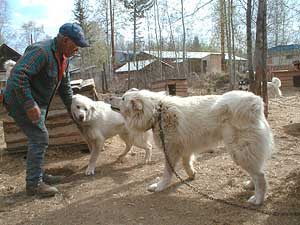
{"x":41,"y":71}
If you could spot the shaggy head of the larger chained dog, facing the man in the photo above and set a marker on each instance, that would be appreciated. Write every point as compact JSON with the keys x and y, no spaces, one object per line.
{"x":138,"y":107}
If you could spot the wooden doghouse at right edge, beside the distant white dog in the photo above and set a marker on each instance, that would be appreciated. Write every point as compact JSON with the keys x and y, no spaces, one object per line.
{"x":289,"y":78}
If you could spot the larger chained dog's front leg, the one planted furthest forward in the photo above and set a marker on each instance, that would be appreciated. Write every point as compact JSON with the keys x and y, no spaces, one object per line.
{"x":171,"y":160}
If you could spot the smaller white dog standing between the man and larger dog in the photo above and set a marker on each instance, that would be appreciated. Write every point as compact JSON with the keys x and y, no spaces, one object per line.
{"x":99,"y":122}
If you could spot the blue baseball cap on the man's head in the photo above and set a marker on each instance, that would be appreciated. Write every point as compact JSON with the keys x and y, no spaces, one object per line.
{"x":75,"y":33}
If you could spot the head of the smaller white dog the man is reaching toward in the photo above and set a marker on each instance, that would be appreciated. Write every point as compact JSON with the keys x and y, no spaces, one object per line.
{"x":82,"y":108}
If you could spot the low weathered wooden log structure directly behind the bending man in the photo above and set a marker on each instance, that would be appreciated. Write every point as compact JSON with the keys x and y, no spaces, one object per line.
{"x":62,"y":130}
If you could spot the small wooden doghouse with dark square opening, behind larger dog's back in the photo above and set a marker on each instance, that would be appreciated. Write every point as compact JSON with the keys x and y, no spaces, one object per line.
{"x":177,"y":87}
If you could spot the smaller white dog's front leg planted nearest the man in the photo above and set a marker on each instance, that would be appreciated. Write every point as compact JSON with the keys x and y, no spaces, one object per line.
{"x":96,"y":147}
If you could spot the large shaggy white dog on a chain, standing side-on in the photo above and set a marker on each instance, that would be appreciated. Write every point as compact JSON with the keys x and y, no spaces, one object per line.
{"x":197,"y":123}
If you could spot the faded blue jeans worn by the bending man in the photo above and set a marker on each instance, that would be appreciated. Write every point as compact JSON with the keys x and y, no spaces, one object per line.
{"x":38,"y":139}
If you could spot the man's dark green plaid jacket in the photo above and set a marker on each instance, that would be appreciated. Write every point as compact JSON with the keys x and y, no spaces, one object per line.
{"x":33,"y":80}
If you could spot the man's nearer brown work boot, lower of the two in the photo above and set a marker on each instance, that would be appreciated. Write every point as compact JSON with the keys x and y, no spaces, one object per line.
{"x":42,"y":190}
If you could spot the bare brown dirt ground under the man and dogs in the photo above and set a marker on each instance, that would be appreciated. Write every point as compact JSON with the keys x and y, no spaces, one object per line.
{"x":117,"y":194}
